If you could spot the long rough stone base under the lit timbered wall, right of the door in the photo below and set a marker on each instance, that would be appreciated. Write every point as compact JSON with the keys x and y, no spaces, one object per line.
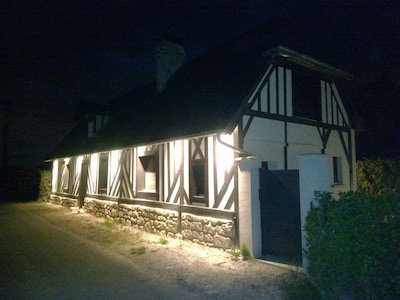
{"x":207,"y":231}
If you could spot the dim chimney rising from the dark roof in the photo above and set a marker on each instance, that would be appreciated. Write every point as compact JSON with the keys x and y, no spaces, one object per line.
{"x":170,"y":55}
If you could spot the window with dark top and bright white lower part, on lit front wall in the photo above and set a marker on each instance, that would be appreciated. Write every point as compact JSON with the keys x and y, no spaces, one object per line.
{"x":147,"y":172}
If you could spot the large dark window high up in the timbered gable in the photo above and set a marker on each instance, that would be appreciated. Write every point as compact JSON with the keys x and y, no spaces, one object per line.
{"x":306,"y":96}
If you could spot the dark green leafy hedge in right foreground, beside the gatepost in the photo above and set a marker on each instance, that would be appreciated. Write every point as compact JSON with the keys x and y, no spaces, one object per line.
{"x":354,"y":244}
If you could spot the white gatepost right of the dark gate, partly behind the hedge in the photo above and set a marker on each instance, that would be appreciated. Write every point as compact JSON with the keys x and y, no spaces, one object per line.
{"x":314,"y":175}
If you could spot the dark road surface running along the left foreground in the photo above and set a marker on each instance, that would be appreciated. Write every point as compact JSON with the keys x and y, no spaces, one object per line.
{"x":41,"y":261}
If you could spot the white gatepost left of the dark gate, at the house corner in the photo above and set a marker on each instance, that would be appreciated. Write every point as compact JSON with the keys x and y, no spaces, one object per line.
{"x":249,"y":205}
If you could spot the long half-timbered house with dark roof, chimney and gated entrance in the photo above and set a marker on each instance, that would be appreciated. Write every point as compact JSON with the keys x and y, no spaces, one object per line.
{"x":219,"y":150}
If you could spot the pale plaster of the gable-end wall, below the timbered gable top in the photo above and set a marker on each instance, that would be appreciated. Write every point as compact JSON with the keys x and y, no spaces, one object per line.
{"x":265,"y":139}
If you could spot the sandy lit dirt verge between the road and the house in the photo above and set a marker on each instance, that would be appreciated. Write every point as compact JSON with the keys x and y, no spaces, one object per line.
{"x":212,"y":273}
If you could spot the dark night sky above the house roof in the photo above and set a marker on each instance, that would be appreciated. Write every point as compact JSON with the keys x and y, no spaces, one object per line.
{"x":55,"y":54}
